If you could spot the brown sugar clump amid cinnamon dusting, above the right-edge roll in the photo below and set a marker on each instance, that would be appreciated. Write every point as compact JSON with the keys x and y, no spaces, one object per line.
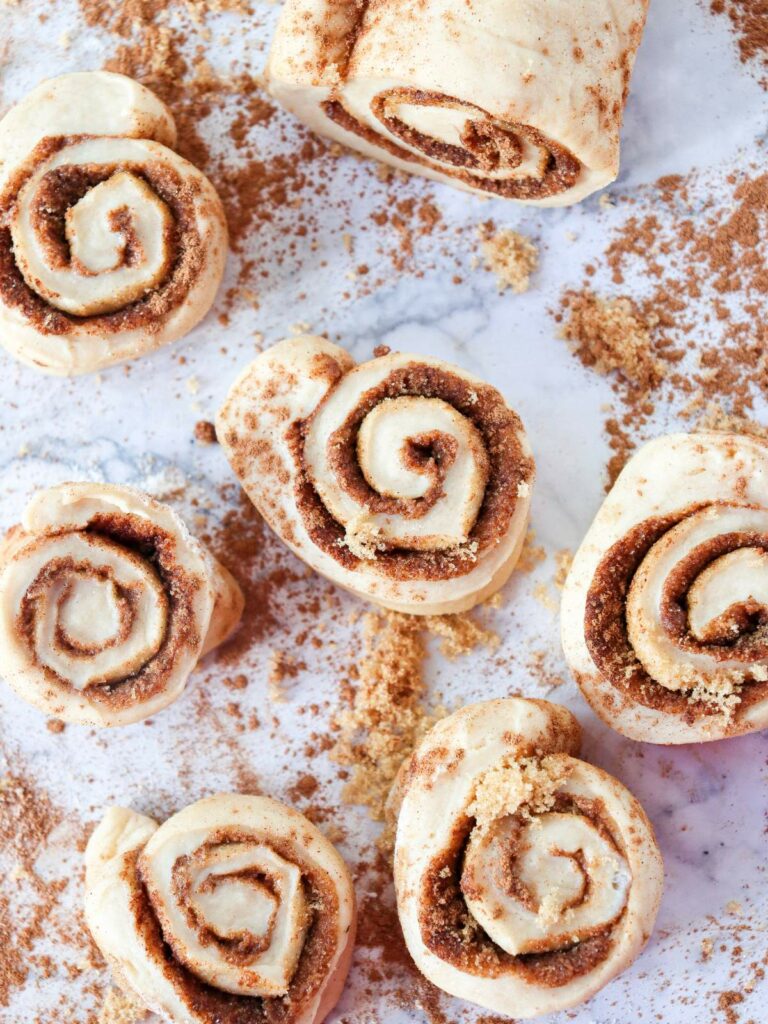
{"x":612,"y":336}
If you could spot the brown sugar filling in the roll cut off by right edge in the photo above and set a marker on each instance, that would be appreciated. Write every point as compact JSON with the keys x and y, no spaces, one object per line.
{"x":606,"y":620}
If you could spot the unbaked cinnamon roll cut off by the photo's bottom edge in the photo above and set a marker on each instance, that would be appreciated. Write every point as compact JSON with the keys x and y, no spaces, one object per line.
{"x":236,"y":910}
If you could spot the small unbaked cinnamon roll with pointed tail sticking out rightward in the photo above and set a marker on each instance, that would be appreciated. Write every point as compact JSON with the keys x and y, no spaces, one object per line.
{"x":107,"y":605}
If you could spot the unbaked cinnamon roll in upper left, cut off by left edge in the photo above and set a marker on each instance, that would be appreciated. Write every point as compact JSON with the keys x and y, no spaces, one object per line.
{"x":111,"y":244}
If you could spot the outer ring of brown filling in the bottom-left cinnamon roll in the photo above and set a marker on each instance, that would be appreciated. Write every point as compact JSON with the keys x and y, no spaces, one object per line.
{"x":217,"y":1007}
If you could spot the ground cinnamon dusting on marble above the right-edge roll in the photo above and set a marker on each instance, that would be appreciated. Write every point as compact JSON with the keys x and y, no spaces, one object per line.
{"x":692,"y":343}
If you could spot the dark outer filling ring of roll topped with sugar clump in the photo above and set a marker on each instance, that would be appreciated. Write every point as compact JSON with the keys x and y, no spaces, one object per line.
{"x":450,"y":931}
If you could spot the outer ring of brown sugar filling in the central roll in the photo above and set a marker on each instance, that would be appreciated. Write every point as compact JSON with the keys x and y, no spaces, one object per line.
{"x":509,"y":467}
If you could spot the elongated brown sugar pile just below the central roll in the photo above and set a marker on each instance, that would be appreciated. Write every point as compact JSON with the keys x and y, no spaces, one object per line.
{"x":388,"y":716}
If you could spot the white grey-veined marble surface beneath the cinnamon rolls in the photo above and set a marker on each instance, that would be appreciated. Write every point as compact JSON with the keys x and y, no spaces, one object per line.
{"x":693,"y":105}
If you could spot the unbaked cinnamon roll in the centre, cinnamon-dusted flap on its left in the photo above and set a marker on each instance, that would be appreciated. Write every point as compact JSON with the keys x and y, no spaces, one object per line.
{"x":404,"y":480}
